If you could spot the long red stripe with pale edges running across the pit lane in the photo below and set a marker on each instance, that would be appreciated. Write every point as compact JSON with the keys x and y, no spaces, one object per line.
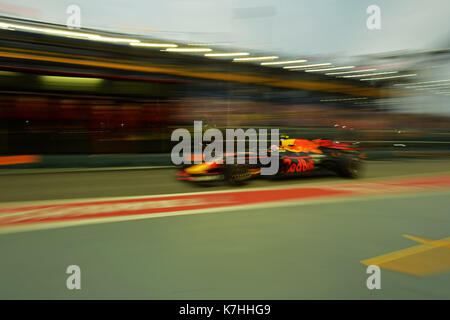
{"x":69,"y":211}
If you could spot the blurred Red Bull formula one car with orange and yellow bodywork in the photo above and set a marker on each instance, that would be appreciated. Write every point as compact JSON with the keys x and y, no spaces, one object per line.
{"x":297,"y":157}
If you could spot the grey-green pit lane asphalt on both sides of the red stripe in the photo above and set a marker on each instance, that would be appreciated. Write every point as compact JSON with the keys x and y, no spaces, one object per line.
{"x":308,"y":251}
